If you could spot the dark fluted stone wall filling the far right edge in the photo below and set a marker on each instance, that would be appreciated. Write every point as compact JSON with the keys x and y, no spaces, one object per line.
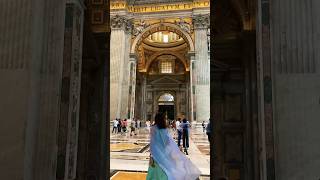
{"x":295,"y":58}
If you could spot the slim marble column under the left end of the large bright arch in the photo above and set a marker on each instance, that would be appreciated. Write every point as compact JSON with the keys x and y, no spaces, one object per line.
{"x":133,"y":66}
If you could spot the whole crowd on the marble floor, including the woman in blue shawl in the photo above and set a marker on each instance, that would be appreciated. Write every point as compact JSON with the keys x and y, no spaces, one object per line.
{"x":167,"y":156}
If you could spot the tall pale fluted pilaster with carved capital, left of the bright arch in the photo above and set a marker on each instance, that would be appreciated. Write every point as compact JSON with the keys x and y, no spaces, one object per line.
{"x":118,"y":51}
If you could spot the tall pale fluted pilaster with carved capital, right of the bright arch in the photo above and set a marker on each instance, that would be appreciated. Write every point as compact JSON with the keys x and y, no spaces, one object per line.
{"x":202,"y":68}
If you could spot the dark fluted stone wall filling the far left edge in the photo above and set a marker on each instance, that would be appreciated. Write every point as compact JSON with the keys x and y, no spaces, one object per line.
{"x":30,"y":67}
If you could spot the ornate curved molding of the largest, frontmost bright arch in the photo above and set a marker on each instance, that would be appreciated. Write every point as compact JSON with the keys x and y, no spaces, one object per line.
{"x":161,"y":27}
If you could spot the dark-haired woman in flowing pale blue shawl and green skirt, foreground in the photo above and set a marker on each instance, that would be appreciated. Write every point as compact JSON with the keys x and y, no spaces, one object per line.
{"x":167,"y":162}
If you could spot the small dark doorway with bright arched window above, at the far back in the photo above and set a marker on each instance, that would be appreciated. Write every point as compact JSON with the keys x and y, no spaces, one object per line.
{"x":166,"y":105}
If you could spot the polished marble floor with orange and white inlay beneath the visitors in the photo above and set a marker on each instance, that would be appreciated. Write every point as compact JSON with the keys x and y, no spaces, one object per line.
{"x":130,"y":154}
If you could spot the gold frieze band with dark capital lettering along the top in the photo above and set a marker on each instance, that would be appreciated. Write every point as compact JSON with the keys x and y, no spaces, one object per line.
{"x":117,"y":5}
